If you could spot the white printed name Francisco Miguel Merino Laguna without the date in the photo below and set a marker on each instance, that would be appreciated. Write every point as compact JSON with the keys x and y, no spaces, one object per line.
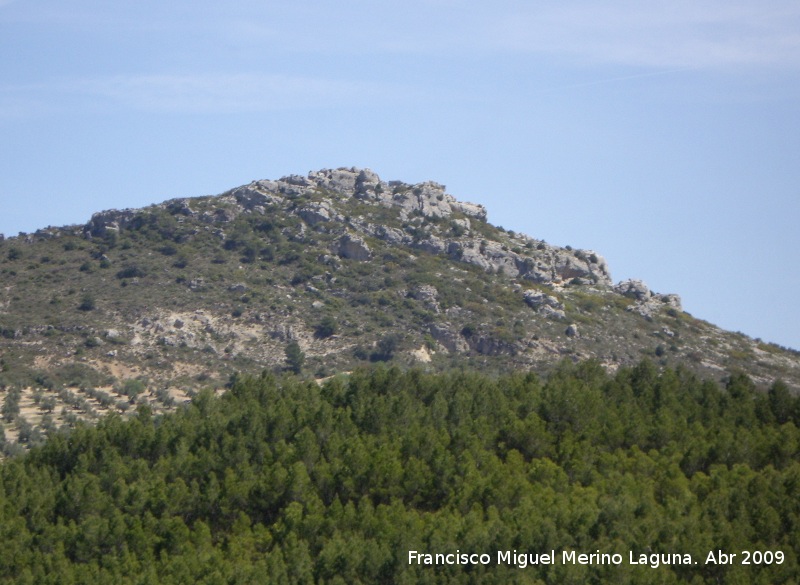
{"x":567,"y":557}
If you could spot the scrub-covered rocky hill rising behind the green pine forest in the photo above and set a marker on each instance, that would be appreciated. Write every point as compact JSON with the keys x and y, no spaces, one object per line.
{"x":320,"y":273}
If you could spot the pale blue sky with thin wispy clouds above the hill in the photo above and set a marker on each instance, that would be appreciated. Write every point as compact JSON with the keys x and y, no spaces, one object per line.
{"x":664,"y":135}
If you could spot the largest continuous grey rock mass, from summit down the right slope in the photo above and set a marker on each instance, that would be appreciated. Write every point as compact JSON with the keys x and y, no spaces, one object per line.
{"x":431,"y":219}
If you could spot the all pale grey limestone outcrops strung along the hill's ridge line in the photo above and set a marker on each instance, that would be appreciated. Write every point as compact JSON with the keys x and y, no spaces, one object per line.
{"x":427,"y":219}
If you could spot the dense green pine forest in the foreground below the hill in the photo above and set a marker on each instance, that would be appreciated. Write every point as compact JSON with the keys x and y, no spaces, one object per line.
{"x":284,"y":481}
